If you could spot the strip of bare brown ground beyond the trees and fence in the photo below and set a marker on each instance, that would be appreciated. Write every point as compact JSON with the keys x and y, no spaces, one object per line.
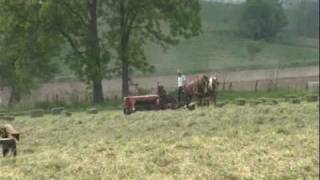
{"x":242,"y":80}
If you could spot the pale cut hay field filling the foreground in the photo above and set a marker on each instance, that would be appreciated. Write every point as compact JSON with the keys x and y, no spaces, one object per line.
{"x":232,"y":142}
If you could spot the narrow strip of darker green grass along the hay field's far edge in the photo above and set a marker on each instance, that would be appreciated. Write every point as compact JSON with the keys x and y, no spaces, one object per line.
{"x":111,"y":104}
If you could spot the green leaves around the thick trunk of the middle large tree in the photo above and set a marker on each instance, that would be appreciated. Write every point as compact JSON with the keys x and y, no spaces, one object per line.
{"x":72,"y":21}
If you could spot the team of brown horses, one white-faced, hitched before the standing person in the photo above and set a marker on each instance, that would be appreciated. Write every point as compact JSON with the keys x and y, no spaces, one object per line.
{"x":203,"y":88}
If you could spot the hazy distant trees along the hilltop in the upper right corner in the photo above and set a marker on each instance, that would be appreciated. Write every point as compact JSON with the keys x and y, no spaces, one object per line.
{"x":263,"y":19}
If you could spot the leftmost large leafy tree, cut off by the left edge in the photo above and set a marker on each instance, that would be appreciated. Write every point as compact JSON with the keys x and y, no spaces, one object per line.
{"x":26,"y":51}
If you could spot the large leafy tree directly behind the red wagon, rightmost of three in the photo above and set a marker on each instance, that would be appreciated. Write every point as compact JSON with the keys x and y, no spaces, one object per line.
{"x":134,"y":23}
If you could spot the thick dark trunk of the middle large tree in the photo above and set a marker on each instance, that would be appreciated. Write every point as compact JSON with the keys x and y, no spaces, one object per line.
{"x":93,"y":53}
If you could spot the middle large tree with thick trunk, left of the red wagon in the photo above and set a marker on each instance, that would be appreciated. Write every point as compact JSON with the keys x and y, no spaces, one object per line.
{"x":77,"y":22}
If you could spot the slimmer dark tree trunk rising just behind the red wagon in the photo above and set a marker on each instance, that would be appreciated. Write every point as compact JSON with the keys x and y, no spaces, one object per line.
{"x":124,"y":50}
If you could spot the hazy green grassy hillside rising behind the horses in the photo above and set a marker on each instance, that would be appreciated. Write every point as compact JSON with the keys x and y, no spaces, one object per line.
{"x":220,"y":46}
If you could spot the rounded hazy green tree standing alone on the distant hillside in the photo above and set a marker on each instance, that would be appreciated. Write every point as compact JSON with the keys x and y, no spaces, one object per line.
{"x":263,"y":19}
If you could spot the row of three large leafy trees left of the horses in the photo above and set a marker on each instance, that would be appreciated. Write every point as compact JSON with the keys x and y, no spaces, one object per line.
{"x":102,"y":36}
